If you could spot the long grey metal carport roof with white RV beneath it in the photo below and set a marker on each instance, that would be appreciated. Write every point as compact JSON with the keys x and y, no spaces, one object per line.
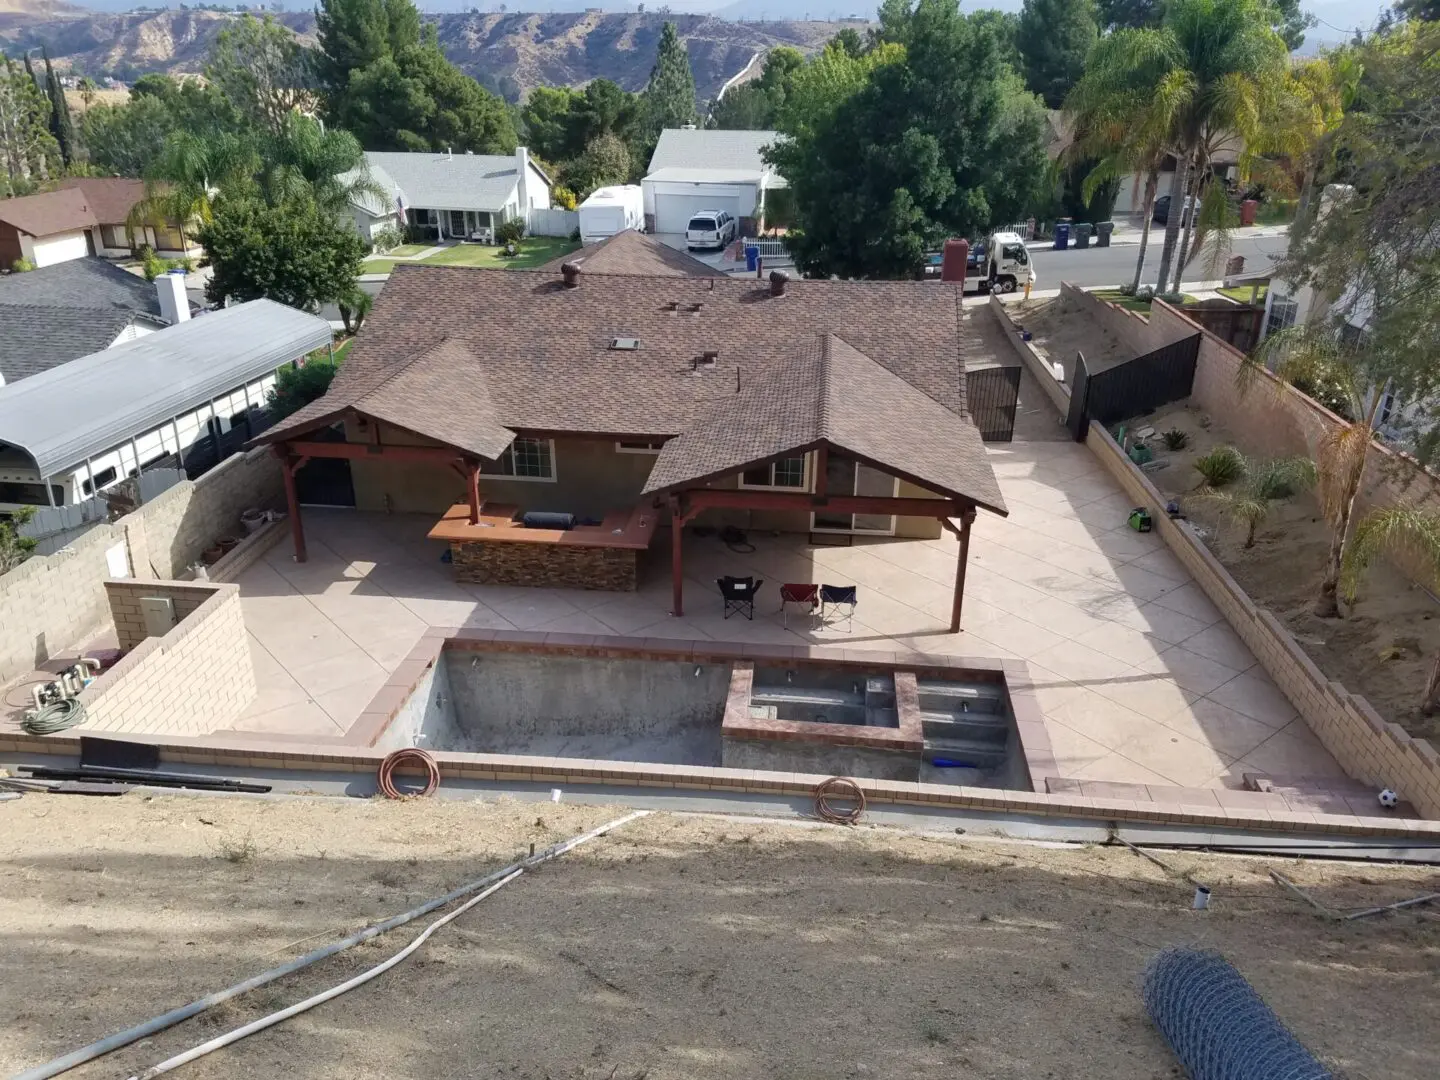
{"x":179,"y":397}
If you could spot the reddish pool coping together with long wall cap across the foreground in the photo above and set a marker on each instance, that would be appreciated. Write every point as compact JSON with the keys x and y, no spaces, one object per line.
{"x":355,"y":752}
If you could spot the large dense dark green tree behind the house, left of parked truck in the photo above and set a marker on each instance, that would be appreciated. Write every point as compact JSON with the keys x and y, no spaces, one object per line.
{"x":938,"y":139}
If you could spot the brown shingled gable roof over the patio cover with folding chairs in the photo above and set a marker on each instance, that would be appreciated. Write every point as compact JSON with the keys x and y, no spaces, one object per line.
{"x":834,"y":394}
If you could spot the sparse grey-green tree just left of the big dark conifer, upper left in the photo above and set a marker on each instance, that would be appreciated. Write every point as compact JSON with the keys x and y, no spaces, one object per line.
{"x":261,"y":67}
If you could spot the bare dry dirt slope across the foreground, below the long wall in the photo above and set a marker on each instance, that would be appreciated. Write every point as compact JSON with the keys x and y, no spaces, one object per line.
{"x":676,"y":948}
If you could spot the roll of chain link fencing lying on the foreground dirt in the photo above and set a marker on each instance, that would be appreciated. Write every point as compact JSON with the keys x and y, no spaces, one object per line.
{"x":1218,"y":1026}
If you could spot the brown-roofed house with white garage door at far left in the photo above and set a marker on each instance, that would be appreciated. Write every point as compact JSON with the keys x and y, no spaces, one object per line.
{"x":86,"y":217}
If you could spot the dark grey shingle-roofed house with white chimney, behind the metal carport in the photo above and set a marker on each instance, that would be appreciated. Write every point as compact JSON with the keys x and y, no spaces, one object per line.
{"x":74,"y":309}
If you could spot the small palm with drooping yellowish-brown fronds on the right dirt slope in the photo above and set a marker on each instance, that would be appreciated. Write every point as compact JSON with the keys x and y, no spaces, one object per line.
{"x":1320,"y":361}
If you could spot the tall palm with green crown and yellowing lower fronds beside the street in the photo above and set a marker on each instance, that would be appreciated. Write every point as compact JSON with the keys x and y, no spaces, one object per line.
{"x":1207,"y":74}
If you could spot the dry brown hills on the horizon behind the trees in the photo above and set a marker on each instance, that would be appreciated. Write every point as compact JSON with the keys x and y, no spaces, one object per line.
{"x":509,"y":53}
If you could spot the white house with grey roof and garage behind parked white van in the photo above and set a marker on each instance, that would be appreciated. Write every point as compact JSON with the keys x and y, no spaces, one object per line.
{"x":709,"y":171}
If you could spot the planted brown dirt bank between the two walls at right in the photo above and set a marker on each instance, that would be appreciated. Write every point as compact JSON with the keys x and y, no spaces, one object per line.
{"x":1386,"y":644}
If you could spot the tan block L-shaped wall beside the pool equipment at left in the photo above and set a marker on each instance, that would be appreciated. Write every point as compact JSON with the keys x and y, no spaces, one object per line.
{"x":195,"y":680}
